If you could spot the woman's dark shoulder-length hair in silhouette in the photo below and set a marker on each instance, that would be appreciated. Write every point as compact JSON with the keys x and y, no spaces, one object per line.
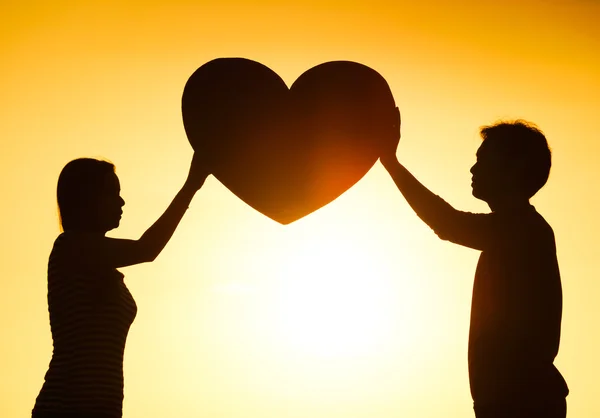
{"x":79,"y":185}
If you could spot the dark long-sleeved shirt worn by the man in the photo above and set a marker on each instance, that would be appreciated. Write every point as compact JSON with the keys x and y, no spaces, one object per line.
{"x":516,"y":307}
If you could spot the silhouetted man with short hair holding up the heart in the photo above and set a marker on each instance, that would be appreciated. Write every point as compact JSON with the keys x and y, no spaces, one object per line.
{"x":517,"y":297}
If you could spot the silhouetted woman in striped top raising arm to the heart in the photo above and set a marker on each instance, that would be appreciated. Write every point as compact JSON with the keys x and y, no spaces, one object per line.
{"x":90,"y":307}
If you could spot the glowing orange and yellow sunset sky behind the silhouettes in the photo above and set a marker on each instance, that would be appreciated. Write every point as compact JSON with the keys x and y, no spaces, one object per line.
{"x":357,"y":310}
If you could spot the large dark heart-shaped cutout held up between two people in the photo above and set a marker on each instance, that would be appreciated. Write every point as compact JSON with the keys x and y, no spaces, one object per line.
{"x":287,"y":152}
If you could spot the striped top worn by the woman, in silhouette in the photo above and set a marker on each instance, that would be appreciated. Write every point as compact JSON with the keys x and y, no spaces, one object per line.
{"x":91,"y":311}
